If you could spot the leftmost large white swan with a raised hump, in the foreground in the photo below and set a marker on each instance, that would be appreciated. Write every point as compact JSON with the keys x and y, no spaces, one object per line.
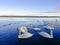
{"x":23,"y":33}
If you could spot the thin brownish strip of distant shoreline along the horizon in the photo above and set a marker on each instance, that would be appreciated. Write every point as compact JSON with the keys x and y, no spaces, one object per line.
{"x":29,"y":16}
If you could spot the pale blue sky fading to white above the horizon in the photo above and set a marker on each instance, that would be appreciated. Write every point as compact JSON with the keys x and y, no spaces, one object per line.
{"x":24,"y":7}
